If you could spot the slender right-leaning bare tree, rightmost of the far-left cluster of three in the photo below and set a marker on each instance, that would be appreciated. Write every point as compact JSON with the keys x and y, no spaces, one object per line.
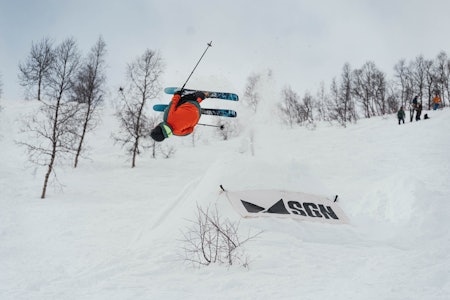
{"x":88,"y":91}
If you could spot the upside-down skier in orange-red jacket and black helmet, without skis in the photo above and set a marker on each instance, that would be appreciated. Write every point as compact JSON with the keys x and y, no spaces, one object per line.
{"x":180,"y":117}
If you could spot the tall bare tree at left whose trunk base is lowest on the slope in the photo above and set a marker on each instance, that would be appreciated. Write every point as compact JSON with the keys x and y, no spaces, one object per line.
{"x":55,"y":129}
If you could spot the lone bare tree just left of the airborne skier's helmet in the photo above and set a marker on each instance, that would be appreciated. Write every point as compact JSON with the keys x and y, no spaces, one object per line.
{"x":143,"y":76}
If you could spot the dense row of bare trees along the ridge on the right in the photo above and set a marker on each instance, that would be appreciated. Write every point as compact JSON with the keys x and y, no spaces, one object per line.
{"x":363,"y":92}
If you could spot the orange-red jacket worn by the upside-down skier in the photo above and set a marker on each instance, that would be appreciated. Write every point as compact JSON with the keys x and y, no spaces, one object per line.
{"x":182,"y":118}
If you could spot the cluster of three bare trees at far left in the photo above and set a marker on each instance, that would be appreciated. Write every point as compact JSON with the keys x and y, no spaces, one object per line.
{"x":71,"y":89}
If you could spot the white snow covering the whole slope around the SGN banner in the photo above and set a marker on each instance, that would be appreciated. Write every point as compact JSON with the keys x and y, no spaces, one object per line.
{"x":107,"y":231}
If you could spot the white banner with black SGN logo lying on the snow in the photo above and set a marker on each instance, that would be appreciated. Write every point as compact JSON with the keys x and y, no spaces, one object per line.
{"x":269,"y":203}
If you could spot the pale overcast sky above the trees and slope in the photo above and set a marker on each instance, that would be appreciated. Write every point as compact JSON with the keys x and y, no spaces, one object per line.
{"x":304,"y":42}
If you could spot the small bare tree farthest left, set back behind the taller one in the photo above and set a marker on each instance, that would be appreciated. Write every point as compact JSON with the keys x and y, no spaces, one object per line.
{"x":37,"y":66}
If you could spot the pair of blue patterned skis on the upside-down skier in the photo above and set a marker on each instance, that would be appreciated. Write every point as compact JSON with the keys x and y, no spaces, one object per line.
{"x":205,"y":111}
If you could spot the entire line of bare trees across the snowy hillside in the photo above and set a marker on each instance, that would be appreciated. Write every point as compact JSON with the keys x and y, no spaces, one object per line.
{"x":71,"y":89}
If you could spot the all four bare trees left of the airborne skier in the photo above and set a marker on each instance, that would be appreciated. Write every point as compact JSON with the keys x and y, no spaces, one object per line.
{"x":71,"y":89}
